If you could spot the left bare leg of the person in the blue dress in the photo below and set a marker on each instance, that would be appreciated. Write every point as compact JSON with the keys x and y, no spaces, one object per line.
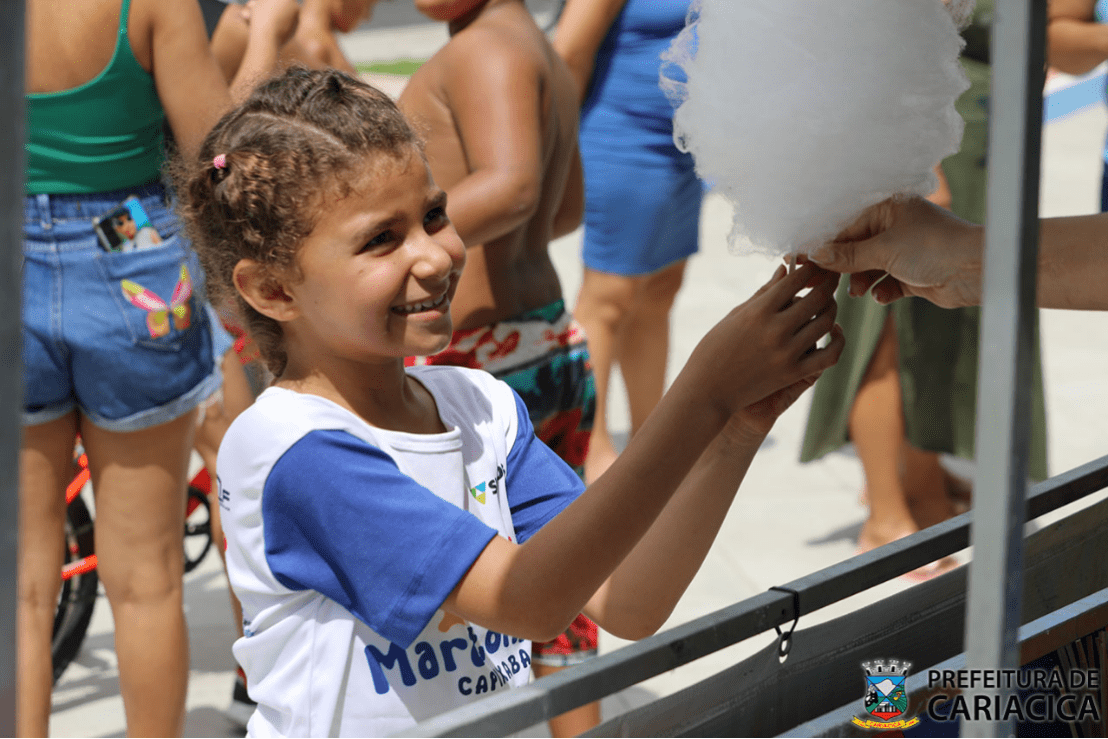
{"x":602,"y":306}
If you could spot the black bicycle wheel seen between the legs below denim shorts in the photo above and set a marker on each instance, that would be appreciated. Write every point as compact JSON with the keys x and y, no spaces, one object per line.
{"x":78,"y":597}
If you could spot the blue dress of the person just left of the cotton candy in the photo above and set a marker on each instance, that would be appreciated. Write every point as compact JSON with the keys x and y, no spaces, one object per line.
{"x":642,"y":194}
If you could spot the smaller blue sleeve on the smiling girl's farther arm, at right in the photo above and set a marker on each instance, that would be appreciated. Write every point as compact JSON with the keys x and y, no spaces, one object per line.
{"x":539,"y":483}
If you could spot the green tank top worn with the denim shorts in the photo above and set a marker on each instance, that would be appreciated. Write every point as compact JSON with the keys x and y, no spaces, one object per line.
{"x":106,"y":135}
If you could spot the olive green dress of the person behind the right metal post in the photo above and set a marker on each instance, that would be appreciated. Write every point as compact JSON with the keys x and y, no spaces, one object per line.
{"x":937,"y":347}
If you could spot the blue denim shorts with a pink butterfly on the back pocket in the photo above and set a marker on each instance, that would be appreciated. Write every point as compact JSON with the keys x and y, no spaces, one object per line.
{"x":125,"y":337}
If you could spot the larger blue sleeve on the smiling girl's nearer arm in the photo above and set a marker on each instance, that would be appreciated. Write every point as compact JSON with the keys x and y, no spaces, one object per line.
{"x":341,"y":519}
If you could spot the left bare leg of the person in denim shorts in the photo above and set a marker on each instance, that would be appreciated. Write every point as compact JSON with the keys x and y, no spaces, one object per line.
{"x":46,"y":461}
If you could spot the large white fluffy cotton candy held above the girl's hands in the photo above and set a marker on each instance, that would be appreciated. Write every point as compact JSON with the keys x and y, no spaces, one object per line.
{"x":806,"y":112}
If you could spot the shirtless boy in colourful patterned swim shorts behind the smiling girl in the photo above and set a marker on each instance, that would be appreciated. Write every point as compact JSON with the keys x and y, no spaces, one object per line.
{"x":499,"y":111}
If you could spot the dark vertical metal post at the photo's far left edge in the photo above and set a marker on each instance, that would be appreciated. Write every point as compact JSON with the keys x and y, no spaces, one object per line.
{"x":12,"y":376}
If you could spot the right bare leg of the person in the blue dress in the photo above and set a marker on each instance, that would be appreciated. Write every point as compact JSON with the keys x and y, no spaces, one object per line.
{"x":644,"y":341}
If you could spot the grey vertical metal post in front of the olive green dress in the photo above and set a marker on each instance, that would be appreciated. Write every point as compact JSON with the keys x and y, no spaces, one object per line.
{"x":996,"y":589}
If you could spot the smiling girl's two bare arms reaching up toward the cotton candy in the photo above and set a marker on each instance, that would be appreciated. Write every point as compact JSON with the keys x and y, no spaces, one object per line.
{"x":761,"y":348}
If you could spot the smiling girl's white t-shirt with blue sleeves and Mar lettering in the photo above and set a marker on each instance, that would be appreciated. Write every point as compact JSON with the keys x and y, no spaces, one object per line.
{"x":344,"y":540}
